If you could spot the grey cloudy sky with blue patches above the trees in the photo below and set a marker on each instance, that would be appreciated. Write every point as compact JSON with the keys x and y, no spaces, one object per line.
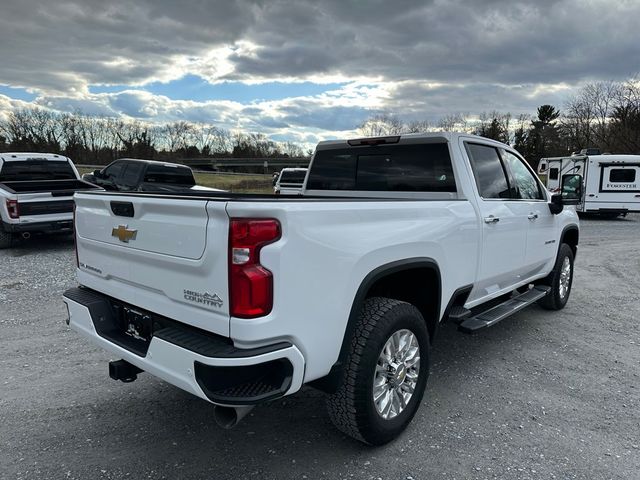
{"x":307,"y":70}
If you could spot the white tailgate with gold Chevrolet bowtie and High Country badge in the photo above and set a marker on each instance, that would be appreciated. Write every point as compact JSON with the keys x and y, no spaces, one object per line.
{"x":169,"y":257}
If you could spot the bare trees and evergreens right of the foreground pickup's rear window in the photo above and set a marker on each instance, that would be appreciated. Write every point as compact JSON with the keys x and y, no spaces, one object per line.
{"x":604,"y":115}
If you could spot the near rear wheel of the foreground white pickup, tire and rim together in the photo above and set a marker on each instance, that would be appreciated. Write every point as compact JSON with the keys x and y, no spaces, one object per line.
{"x":385,"y":373}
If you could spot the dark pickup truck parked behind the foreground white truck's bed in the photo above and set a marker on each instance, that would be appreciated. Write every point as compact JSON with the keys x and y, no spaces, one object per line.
{"x":138,"y":175}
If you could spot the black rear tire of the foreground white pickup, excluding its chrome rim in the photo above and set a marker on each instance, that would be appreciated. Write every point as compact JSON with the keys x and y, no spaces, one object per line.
{"x":351,"y":407}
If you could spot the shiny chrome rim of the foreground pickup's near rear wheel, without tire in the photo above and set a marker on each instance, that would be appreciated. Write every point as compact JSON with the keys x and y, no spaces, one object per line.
{"x":396,"y":374}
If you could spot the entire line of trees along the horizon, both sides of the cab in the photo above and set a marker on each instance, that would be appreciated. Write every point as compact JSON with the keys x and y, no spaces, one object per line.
{"x":605,"y":115}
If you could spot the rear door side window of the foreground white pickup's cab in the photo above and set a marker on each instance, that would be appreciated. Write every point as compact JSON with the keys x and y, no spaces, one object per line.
{"x":491,"y":177}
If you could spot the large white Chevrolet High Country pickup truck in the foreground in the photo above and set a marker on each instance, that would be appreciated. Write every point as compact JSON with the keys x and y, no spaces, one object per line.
{"x":240,"y":299}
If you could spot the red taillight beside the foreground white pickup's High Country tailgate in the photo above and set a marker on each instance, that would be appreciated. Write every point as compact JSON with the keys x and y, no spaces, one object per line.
{"x":250,"y":284}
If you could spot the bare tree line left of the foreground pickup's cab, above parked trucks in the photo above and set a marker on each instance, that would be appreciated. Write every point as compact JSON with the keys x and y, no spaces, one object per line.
{"x":100,"y":140}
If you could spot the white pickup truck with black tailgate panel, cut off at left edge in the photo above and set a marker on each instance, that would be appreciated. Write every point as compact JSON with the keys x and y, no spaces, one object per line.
{"x":36,"y":194}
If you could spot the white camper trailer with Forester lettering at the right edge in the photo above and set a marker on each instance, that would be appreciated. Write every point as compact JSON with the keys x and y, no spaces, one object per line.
{"x":611,"y":183}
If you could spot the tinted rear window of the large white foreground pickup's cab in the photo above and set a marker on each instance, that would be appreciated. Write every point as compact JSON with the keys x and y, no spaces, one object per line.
{"x":400,"y":168}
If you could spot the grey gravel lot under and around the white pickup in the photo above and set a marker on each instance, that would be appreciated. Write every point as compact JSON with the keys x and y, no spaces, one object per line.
{"x":541,"y":395}
